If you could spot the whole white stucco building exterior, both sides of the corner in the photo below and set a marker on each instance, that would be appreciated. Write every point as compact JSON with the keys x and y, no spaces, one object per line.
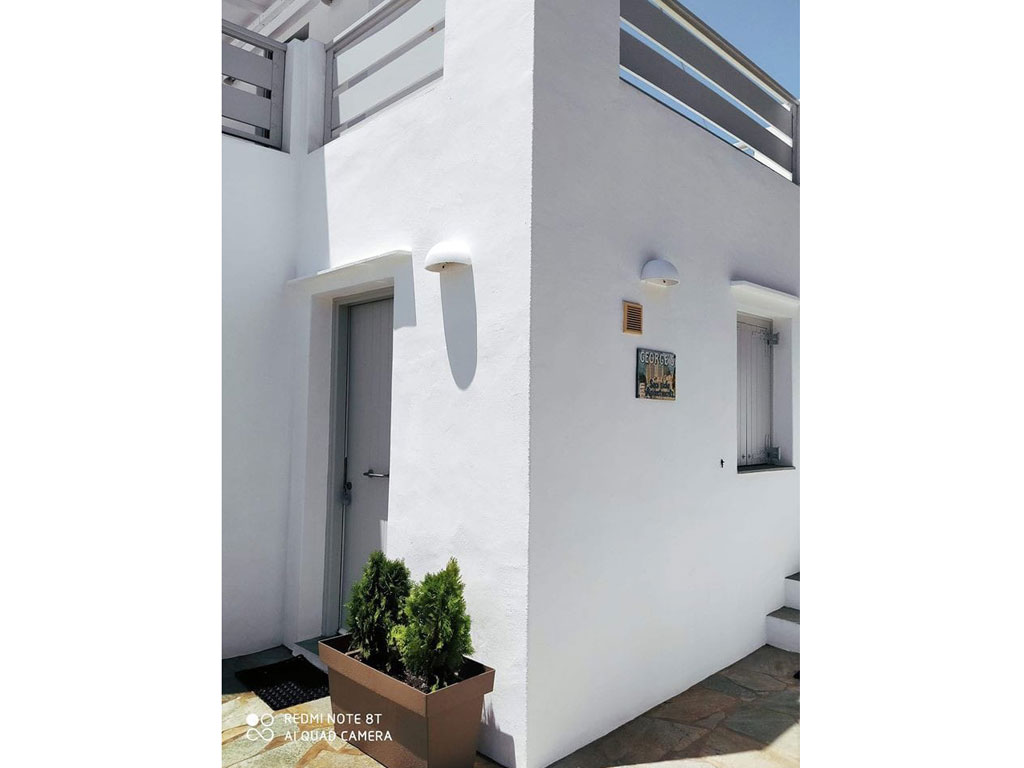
{"x":613,"y":553}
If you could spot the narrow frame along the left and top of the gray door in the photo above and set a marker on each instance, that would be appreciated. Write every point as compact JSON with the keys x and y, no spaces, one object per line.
{"x":334,"y":546}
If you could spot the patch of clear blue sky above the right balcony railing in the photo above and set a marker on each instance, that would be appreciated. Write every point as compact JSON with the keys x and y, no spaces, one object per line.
{"x":767,"y":31}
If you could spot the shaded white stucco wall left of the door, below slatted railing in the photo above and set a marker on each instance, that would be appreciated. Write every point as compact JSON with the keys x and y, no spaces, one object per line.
{"x":259,"y":206}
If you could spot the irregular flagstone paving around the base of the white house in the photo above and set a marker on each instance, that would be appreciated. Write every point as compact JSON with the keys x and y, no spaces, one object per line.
{"x":745,"y":716}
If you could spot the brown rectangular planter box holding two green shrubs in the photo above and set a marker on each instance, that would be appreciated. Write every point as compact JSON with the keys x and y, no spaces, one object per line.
{"x":430,"y":731}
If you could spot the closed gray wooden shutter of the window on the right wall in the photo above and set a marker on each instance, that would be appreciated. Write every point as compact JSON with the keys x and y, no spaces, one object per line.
{"x":755,"y":344}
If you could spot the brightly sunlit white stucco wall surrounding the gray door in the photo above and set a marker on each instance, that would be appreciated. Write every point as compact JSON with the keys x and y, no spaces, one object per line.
{"x":452,"y":161}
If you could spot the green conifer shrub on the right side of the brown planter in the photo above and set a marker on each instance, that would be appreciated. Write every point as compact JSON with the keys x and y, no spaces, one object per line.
{"x":436,"y":635}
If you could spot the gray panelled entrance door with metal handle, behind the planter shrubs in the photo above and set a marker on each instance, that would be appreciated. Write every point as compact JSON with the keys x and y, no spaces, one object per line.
{"x":362,"y":448}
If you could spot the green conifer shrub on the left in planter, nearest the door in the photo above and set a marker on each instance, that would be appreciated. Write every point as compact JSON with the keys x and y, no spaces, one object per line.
{"x":376,"y":609}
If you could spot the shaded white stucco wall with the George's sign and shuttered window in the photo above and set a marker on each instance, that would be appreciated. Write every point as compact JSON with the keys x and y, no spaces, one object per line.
{"x":651,"y":566}
